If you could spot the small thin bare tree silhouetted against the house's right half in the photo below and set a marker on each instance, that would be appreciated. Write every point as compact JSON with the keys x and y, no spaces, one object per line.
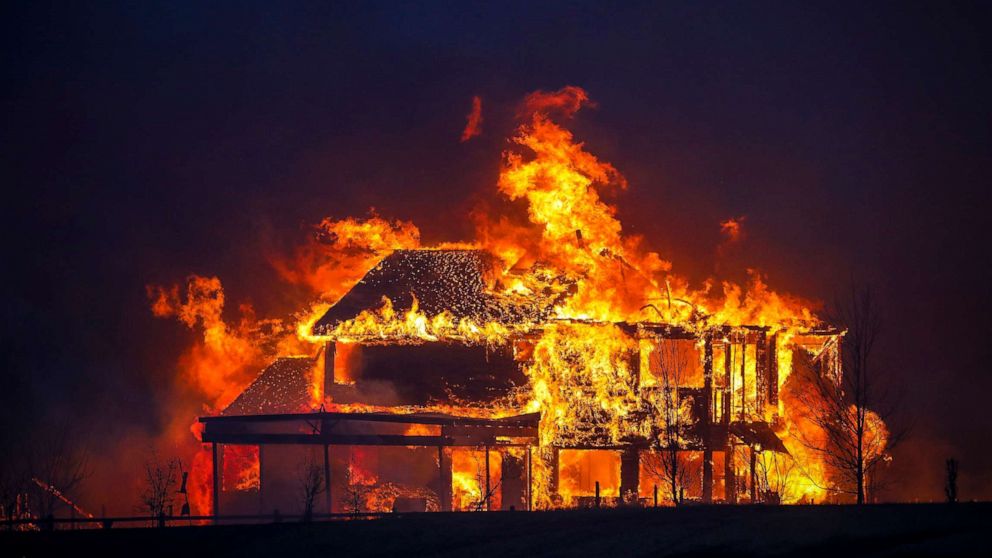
{"x":671,"y":436}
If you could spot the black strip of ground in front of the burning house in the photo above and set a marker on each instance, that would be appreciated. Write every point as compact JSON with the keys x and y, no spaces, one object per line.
{"x":837,"y":531}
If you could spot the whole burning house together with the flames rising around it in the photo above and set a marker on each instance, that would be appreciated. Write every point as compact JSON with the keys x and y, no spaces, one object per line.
{"x":554,"y":363}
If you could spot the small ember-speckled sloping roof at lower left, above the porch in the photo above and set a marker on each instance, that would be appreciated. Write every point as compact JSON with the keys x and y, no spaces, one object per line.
{"x":282,"y":387}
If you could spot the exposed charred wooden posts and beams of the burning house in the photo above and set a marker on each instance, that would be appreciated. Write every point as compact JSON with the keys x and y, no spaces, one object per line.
{"x":721,"y":420}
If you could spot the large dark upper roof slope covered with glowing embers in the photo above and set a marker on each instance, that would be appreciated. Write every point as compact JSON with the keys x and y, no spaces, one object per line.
{"x":441,"y":280}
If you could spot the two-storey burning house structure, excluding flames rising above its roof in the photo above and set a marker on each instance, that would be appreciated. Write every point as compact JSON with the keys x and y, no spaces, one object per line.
{"x":416,"y":396}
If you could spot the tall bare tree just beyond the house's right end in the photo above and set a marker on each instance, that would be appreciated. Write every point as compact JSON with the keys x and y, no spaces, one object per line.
{"x":851,"y":411}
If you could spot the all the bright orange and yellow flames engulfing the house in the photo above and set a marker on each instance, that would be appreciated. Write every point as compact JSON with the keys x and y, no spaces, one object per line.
{"x":588,"y":365}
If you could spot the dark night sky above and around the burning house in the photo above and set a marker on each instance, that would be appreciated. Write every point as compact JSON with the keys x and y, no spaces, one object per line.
{"x":143,"y":142}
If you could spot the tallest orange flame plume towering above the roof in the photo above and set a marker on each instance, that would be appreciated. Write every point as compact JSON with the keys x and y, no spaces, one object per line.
{"x":580,"y":236}
